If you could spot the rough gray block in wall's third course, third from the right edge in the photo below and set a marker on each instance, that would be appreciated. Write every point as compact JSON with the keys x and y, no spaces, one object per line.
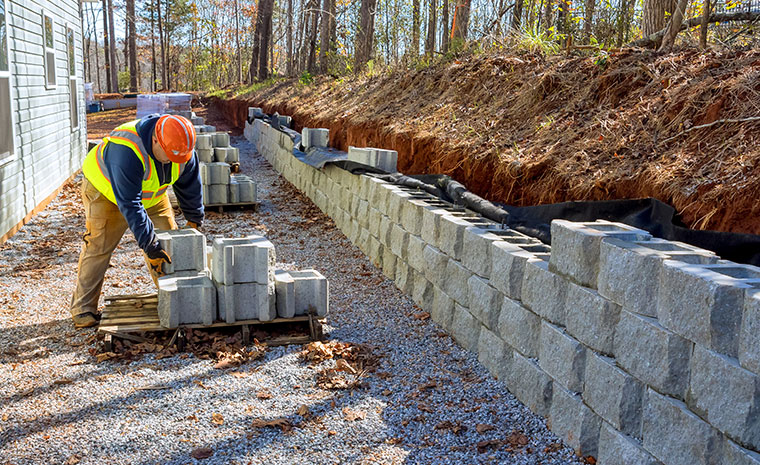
{"x":613,"y":394}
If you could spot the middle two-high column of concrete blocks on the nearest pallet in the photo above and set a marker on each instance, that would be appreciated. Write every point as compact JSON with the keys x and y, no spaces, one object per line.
{"x":244,"y":272}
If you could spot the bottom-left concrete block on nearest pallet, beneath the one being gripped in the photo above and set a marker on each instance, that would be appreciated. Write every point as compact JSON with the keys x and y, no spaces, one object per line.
{"x":186,"y":300}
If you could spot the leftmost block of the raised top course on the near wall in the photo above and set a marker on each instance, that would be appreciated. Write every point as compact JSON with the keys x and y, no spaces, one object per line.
{"x":576,"y":246}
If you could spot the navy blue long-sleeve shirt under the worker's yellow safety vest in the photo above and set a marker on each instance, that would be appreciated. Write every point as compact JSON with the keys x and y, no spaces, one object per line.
{"x":126,"y":172}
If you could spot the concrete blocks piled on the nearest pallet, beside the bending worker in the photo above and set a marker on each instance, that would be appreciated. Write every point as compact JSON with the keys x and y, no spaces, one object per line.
{"x":242,"y":283}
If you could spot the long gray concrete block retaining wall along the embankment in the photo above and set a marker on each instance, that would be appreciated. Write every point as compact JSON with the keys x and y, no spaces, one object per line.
{"x":636,"y":350}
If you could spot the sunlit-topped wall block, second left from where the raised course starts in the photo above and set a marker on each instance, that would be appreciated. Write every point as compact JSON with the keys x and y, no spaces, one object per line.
{"x":508,"y":268}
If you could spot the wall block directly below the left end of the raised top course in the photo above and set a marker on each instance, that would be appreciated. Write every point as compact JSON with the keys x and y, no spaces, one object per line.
{"x":544,"y":292}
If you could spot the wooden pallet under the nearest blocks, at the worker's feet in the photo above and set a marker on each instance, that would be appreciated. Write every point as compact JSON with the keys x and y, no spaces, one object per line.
{"x":127,"y":316}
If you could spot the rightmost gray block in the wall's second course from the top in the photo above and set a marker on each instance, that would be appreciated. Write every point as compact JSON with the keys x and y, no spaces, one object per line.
{"x":726,"y":395}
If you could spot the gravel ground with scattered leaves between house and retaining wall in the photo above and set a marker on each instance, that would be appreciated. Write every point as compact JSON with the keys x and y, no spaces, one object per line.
{"x":428,"y":401}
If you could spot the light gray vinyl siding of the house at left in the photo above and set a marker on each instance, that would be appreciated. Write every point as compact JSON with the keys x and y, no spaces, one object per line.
{"x":47,"y":151}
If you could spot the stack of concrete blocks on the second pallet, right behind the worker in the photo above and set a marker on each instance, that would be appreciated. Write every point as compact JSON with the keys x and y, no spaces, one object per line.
{"x":220,"y":186}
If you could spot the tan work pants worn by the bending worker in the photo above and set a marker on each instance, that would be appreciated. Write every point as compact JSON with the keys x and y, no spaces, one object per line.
{"x":105,"y":226}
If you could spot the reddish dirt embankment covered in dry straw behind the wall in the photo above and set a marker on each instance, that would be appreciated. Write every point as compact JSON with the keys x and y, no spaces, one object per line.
{"x":526,"y":130}
